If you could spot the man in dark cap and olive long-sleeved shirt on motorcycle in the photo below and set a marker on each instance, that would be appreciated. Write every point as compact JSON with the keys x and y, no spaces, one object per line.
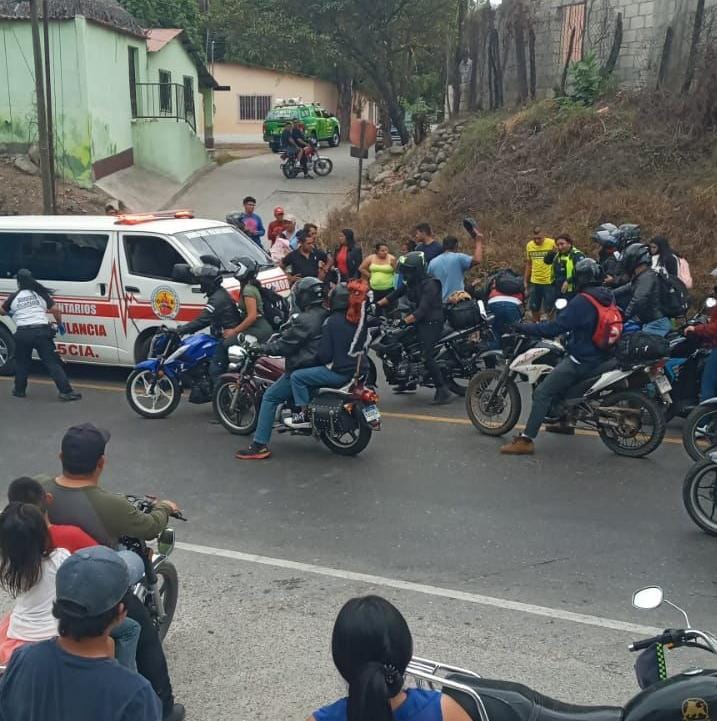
{"x":79,"y":500}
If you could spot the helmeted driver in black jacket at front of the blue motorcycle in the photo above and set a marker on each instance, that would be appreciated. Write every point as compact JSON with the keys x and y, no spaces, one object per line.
{"x":219,"y":314}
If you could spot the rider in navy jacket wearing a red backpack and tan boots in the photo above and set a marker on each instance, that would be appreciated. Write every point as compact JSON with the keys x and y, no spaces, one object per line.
{"x":579,"y":320}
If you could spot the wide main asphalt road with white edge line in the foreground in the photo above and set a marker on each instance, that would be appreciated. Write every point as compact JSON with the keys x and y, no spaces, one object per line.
{"x":489,"y":557}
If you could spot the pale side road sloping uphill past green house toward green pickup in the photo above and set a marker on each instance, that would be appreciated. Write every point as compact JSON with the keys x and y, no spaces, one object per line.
{"x":222,"y":190}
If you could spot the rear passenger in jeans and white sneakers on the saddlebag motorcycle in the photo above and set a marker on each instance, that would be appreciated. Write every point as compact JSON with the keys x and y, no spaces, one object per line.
{"x":341,"y":344}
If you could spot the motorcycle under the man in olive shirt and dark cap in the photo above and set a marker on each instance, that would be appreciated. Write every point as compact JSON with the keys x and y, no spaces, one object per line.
{"x":159,"y":589}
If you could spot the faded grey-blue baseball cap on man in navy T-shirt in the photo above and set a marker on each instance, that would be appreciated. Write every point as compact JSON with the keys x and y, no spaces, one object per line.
{"x":94,"y":580}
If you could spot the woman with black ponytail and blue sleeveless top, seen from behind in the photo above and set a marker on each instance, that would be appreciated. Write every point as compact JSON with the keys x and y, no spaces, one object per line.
{"x":372,"y":646}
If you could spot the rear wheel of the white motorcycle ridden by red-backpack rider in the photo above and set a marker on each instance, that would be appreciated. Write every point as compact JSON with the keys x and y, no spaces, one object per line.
{"x":637,"y":432}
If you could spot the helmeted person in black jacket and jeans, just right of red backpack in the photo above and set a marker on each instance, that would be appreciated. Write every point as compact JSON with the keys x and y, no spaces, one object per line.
{"x":643,"y":291}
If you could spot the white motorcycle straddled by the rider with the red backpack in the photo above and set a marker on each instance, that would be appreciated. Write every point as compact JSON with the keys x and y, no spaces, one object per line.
{"x":628,"y":422}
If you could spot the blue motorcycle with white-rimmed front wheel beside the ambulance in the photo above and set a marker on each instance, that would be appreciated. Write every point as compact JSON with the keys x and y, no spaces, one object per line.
{"x":154,"y":388}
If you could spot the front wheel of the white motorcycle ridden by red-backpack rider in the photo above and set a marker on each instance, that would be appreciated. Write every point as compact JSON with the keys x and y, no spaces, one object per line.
{"x":493,"y":412}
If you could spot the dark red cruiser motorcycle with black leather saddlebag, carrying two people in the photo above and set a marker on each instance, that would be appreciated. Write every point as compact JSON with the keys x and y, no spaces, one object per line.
{"x":343,"y":419}
